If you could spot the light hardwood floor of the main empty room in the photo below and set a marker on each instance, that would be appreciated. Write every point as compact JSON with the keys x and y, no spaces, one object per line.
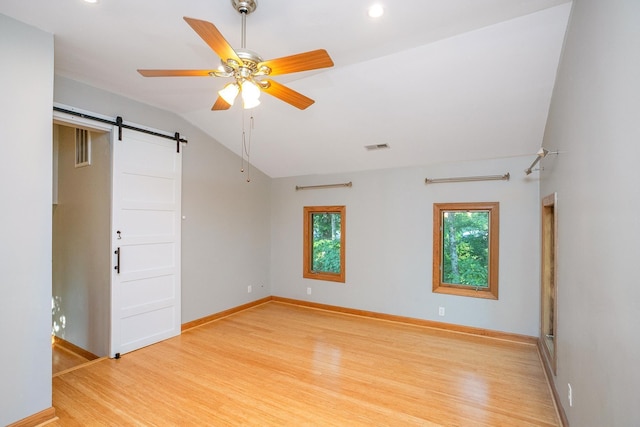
{"x":278,"y":364}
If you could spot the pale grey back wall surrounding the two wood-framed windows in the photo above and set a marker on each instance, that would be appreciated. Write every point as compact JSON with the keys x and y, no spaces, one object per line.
{"x":389,"y":243}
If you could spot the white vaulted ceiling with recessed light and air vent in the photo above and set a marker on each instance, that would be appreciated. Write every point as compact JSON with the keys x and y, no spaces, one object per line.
{"x":437,"y":80}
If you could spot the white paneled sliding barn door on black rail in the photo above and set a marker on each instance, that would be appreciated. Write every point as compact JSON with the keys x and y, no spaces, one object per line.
{"x":145,"y":226}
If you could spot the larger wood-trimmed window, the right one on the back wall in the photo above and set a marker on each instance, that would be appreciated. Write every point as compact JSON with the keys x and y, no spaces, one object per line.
{"x":465,"y":249}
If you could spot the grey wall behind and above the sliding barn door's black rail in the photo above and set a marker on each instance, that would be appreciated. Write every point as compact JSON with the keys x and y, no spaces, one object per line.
{"x":225,"y":236}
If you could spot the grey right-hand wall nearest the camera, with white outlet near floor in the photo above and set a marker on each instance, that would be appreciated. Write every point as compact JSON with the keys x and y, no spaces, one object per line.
{"x":594,"y":122}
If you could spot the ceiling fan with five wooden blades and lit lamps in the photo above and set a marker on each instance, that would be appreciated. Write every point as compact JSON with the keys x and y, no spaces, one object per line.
{"x":250,"y":72}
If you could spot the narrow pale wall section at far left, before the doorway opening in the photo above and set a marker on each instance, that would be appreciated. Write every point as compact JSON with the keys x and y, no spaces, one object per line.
{"x":26,"y":85}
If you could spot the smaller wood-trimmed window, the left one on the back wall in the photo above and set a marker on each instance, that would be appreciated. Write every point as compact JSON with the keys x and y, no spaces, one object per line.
{"x":324,"y":243}
